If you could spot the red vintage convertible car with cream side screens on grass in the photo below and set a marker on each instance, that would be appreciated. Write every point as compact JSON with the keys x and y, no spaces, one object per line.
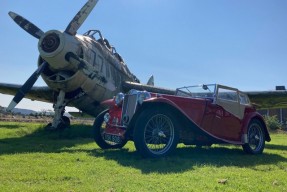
{"x":199,"y":115}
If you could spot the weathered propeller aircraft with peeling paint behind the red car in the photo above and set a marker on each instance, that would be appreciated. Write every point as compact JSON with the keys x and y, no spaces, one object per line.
{"x":83,"y":70}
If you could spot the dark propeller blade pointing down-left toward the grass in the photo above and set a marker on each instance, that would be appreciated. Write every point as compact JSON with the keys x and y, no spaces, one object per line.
{"x":26,"y":87}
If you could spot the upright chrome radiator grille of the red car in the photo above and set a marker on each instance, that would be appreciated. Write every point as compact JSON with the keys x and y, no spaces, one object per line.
{"x":129,"y":108}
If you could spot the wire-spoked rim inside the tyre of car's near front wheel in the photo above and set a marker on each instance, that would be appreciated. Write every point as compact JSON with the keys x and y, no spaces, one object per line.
{"x":159,"y":134}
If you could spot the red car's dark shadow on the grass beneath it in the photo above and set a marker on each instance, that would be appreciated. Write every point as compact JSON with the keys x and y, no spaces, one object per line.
{"x":189,"y":158}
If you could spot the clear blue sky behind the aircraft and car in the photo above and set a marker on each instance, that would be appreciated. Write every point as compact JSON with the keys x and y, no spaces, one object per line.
{"x":240,"y":43}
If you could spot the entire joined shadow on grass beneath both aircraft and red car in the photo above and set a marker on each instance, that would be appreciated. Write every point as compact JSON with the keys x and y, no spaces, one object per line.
{"x":183,"y":159}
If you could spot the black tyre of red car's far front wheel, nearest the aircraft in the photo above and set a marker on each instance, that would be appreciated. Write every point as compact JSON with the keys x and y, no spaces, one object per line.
{"x":99,"y":128}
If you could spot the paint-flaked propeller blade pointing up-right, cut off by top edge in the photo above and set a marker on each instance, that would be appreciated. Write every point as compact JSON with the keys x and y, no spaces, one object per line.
{"x":80,"y":17}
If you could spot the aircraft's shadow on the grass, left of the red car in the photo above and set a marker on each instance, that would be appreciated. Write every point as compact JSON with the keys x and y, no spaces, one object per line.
{"x":38,"y":139}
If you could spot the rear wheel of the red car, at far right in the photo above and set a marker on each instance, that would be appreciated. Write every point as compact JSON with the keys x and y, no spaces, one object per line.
{"x":255,"y":137}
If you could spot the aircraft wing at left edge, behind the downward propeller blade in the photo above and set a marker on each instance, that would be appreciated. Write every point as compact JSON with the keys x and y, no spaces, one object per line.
{"x":44,"y":93}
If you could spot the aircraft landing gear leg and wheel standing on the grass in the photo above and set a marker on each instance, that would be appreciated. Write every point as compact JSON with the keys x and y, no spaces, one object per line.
{"x":60,"y":121}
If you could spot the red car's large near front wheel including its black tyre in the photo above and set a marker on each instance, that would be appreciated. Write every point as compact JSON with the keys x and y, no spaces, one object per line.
{"x":156,"y":133}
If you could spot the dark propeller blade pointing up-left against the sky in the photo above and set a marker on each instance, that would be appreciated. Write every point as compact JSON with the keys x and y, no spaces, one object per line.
{"x":26,"y":25}
